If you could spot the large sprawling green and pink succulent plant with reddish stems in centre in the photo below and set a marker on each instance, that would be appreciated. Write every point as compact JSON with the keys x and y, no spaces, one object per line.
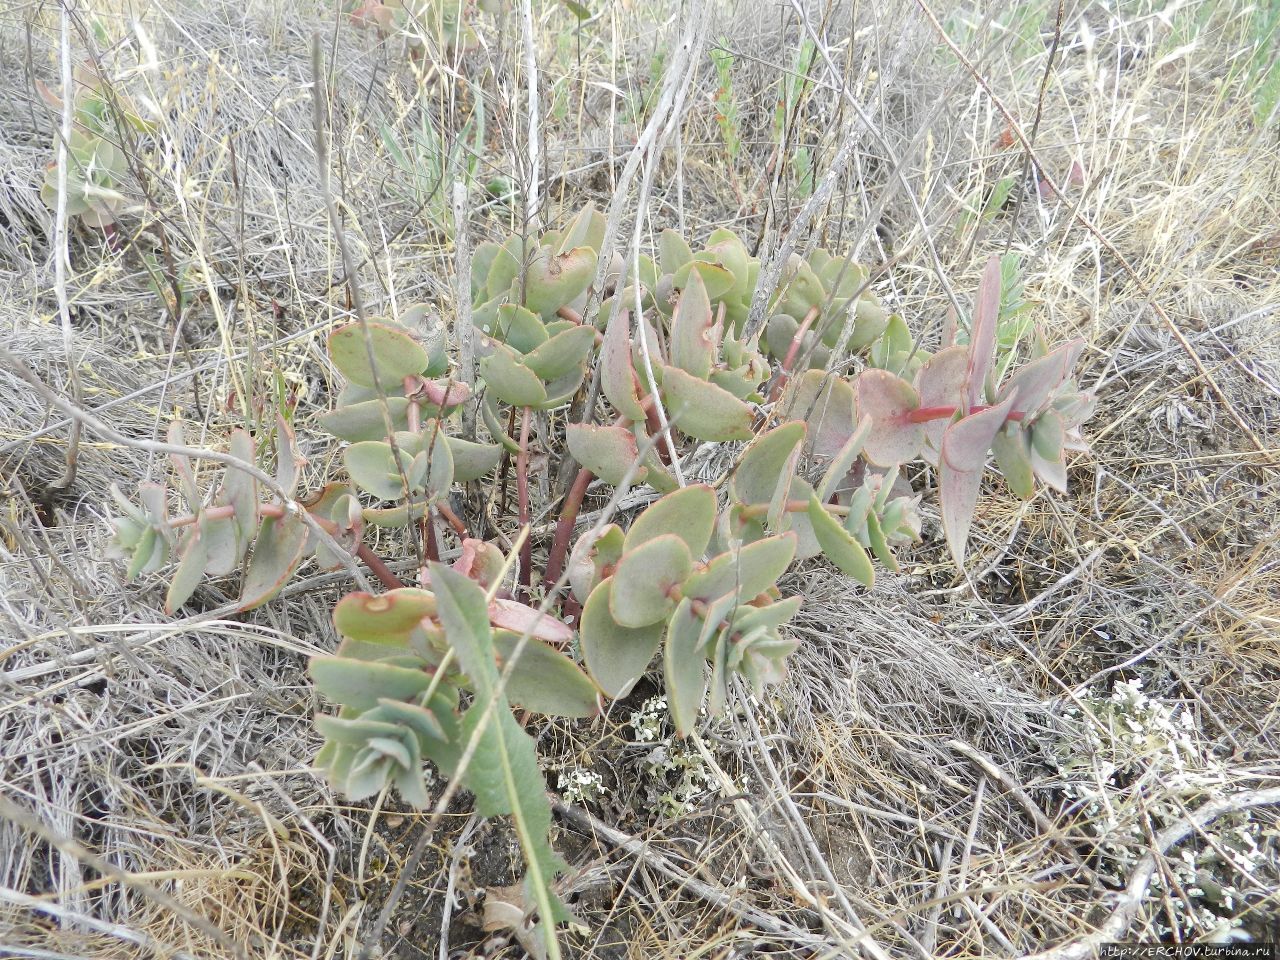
{"x":431,"y":673}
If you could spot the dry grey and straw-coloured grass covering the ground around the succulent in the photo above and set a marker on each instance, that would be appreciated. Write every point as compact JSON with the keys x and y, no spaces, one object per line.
{"x":157,"y":772}
